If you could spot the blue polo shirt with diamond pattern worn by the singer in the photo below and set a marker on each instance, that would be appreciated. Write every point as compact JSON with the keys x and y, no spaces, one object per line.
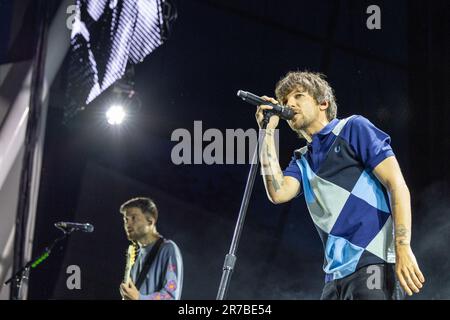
{"x":349,"y":206}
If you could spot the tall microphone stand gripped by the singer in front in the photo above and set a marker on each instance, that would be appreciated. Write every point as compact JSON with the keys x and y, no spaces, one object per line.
{"x":230,"y":258}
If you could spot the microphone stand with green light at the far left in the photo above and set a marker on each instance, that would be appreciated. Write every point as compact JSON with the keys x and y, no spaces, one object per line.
{"x":23,"y":272}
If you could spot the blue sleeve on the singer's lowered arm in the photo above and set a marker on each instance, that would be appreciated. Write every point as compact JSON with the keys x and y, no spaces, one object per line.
{"x":370,"y":143}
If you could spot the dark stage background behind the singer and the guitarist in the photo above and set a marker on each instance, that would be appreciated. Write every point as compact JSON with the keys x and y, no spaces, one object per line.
{"x":398,"y":77}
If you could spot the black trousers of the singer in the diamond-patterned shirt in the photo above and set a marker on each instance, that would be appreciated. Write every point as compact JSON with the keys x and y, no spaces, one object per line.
{"x":373,"y":282}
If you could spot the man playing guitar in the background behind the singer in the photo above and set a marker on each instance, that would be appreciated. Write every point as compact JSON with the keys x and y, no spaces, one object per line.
{"x":157,"y":273}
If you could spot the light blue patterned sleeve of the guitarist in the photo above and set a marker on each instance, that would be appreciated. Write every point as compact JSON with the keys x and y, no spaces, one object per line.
{"x":172,"y":276}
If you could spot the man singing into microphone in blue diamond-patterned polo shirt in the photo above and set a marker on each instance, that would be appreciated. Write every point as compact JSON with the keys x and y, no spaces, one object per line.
{"x":354,"y":190}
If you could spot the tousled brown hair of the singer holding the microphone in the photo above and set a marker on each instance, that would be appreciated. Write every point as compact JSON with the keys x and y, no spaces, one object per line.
{"x":314,"y":83}
